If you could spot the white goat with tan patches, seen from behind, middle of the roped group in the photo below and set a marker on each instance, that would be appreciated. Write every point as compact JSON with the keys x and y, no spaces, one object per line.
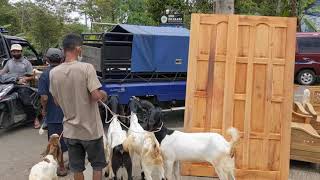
{"x":146,"y":148}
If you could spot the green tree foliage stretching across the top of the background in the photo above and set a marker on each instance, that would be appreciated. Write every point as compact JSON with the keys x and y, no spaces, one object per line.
{"x":44,"y":22}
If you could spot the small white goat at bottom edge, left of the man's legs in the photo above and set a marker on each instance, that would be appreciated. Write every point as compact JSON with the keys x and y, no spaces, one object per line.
{"x":45,"y":170}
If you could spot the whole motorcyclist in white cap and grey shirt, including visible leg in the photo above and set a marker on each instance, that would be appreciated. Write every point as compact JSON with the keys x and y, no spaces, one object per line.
{"x":20,"y":66}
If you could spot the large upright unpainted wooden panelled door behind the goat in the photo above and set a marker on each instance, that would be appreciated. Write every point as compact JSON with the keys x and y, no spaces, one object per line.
{"x":240,"y":74}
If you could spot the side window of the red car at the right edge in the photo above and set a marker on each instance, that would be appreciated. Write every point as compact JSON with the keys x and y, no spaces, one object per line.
{"x":309,"y":45}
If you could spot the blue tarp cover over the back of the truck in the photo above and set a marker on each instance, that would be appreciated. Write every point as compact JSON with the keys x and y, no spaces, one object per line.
{"x":157,"y":49}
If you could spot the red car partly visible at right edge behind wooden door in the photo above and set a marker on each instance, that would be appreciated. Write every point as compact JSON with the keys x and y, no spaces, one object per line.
{"x":307,"y":64}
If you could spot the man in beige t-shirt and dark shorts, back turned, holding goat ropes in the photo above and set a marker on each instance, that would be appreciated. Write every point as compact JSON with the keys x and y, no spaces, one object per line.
{"x":75,"y":88}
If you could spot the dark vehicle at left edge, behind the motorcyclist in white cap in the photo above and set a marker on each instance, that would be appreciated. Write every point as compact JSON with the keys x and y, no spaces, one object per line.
{"x":28,"y":51}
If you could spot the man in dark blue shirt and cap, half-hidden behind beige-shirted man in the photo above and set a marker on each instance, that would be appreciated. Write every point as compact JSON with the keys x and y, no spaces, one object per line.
{"x":52,"y":113}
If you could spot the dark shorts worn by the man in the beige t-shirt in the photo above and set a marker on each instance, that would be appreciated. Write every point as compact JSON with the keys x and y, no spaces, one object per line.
{"x":77,"y":150}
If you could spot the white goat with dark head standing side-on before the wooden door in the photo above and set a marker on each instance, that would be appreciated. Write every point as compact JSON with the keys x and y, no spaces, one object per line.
{"x":197,"y":147}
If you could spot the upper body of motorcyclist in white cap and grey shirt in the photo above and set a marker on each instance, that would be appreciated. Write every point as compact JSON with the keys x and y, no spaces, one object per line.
{"x":18,"y":65}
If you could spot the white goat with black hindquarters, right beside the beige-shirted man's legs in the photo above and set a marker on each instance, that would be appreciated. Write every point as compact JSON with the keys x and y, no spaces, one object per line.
{"x":115,"y":137}
